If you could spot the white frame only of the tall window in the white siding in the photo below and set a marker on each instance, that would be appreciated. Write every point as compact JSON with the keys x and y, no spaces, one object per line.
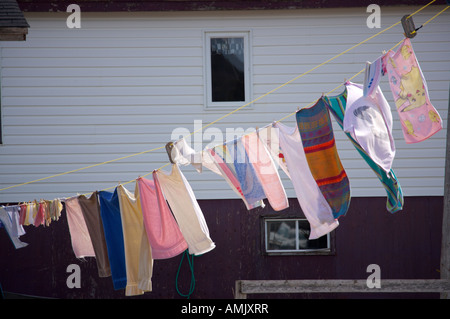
{"x":208,"y":35}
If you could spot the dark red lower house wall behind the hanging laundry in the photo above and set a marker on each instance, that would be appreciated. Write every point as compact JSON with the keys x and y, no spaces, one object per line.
{"x":406,"y":245}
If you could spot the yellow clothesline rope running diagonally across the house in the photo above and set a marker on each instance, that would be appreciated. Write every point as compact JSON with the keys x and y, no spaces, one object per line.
{"x":235,"y":110}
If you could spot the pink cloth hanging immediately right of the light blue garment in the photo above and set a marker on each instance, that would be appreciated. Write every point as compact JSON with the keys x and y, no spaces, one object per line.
{"x":266,"y":171}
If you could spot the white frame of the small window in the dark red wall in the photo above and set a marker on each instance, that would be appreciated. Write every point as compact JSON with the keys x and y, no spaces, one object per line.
{"x":297,"y":250}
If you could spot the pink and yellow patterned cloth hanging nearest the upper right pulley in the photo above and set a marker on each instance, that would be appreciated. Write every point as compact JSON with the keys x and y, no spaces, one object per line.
{"x":418,"y":117}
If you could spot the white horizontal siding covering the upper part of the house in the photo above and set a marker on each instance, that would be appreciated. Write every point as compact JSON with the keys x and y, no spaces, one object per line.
{"x":124,"y":82}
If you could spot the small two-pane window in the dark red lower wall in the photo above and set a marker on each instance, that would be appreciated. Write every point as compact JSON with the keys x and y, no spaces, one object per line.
{"x":291,"y":236}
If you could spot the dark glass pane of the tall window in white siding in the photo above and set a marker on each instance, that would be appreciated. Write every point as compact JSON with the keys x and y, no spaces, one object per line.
{"x":227,"y":69}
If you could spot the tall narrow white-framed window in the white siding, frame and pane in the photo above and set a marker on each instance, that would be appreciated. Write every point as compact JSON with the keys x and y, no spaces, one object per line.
{"x":227,"y":69}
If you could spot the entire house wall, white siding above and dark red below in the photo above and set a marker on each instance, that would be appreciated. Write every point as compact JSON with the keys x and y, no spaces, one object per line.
{"x":123,"y":82}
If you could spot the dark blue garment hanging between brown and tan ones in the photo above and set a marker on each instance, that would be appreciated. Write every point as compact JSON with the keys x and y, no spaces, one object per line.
{"x":112,"y":226}
